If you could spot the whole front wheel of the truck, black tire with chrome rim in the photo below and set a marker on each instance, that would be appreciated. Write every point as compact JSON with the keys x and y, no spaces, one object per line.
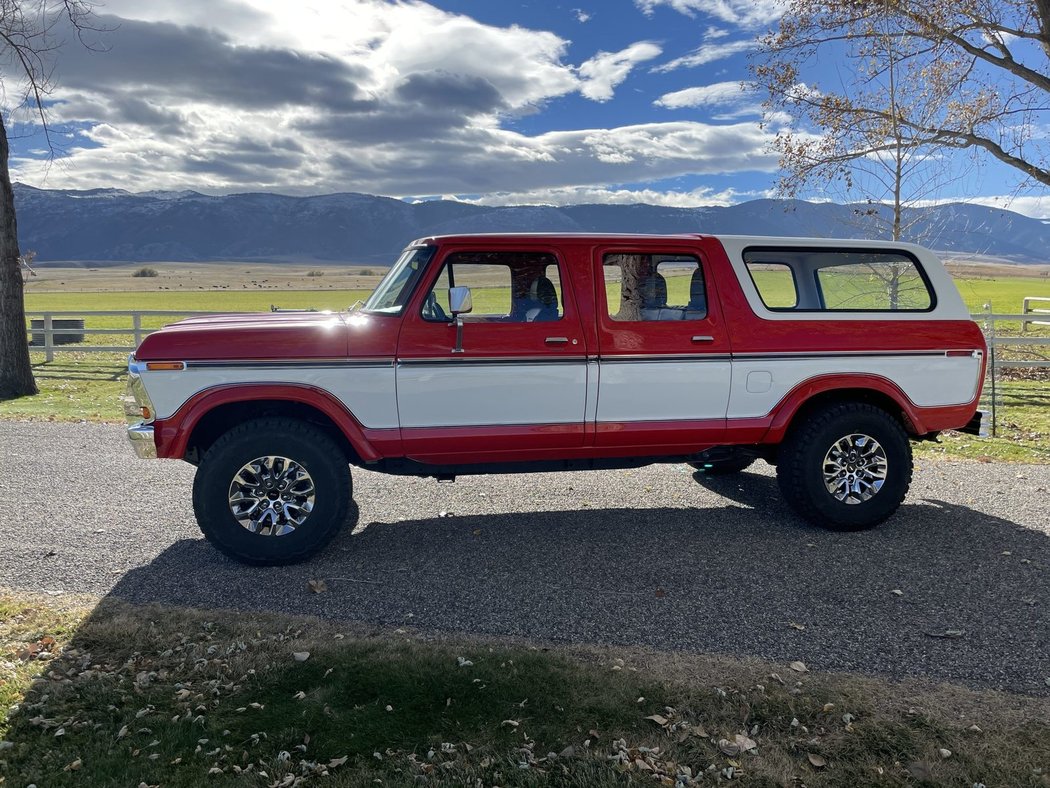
{"x":272,"y":491}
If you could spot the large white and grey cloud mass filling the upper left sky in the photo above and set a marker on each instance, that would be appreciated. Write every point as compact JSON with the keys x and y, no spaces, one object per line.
{"x":400,"y":99}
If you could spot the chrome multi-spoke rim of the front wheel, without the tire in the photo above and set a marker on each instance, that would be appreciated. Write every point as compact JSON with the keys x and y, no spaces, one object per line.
{"x":271,"y":496}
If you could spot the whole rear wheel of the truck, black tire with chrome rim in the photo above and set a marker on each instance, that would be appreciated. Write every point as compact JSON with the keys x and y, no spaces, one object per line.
{"x":848,"y":468}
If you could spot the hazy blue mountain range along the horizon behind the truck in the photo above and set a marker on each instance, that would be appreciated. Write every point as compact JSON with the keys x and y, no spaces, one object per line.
{"x":110,"y":226}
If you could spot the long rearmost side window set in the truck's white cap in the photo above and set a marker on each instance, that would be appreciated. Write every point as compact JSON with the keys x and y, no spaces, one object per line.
{"x":839,"y":281}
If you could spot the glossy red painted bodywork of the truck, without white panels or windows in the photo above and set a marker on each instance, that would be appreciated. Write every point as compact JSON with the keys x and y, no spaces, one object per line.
{"x":591,"y":334}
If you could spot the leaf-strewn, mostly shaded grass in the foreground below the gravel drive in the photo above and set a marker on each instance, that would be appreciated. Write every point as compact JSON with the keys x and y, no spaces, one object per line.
{"x":117,"y":695}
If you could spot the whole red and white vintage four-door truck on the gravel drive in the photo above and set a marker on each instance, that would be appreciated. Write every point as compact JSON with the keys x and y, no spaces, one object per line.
{"x":509,"y":354}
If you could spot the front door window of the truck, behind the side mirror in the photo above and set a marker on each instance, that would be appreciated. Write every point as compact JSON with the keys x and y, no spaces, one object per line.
{"x":506,"y":287}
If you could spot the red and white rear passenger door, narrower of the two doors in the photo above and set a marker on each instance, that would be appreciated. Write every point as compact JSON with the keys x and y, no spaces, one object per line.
{"x":664,"y":351}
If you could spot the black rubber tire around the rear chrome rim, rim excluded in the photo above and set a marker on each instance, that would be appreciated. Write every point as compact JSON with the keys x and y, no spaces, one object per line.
{"x":801,"y":471}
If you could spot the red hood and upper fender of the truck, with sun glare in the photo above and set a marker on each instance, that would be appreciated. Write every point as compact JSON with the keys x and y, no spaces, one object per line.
{"x":250,"y":337}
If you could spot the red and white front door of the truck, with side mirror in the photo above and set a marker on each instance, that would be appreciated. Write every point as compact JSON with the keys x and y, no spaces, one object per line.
{"x":516,"y":388}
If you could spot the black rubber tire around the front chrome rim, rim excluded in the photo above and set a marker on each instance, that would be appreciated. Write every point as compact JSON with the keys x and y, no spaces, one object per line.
{"x":305,"y":444}
